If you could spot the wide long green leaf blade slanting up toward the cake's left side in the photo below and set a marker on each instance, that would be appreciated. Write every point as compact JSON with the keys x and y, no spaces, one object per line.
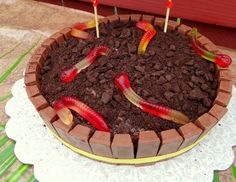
{"x":18,"y":61}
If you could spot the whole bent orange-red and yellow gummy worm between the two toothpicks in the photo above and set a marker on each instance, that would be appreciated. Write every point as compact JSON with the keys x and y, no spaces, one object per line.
{"x":149,"y":34}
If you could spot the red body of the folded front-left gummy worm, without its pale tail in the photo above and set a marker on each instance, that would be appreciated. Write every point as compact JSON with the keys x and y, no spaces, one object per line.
{"x":82,"y":109}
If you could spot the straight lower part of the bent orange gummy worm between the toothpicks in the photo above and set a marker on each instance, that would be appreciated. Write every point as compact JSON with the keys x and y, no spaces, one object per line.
{"x":145,"y":41}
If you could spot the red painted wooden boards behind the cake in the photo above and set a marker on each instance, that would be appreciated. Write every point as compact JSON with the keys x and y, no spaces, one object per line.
{"x":219,"y":12}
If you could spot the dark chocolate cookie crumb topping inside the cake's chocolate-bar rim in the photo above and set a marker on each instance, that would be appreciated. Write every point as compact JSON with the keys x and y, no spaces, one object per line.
{"x":169,"y":73}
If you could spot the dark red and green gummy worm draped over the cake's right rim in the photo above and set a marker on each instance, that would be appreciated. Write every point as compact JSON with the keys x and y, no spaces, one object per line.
{"x":219,"y":59}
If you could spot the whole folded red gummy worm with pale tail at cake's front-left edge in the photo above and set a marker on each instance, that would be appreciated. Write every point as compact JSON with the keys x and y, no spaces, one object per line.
{"x":62,"y":109}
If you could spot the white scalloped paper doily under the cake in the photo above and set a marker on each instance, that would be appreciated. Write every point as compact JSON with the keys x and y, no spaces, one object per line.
{"x":54,"y":162}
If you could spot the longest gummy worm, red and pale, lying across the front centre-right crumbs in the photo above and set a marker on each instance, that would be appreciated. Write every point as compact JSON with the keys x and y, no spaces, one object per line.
{"x":123,"y":83}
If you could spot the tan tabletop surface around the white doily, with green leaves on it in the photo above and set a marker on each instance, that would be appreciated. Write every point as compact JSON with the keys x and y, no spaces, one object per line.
{"x":31,"y":20}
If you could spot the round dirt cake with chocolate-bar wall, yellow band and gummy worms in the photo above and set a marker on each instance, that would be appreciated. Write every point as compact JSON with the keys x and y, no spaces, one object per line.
{"x":135,"y":92}
